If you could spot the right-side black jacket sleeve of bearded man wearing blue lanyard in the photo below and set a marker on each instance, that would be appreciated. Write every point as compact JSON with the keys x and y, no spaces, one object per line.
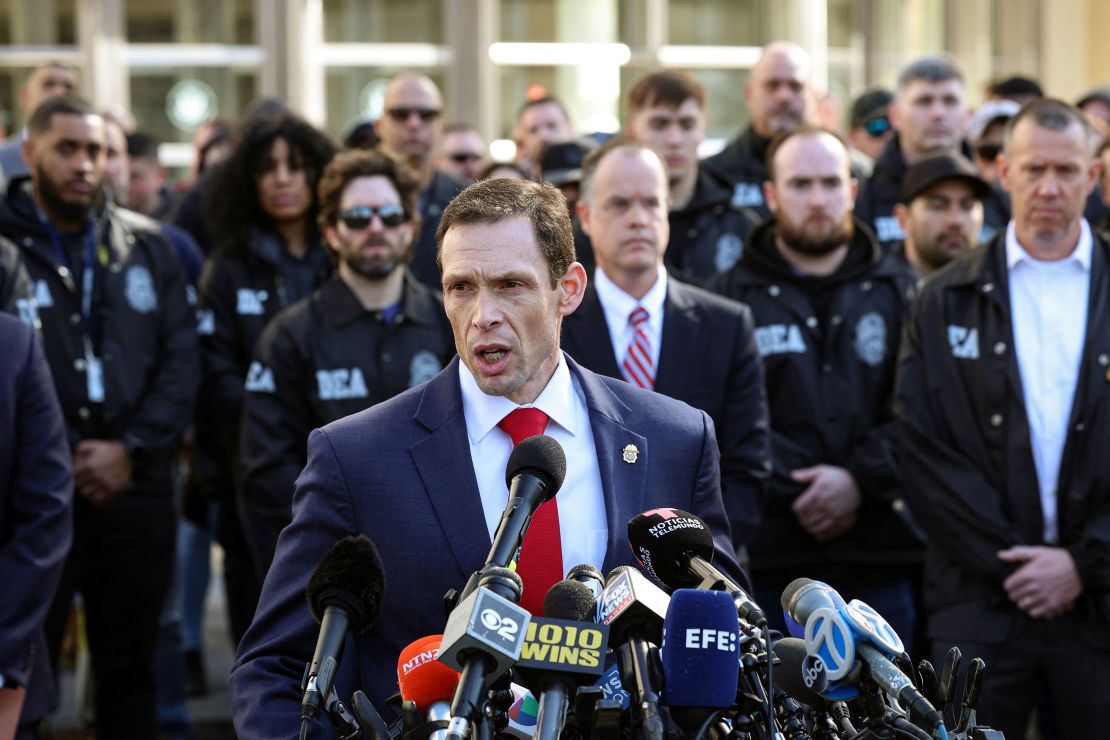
{"x":164,"y":413}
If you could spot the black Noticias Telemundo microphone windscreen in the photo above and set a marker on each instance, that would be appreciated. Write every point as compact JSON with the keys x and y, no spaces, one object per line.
{"x":664,"y":540}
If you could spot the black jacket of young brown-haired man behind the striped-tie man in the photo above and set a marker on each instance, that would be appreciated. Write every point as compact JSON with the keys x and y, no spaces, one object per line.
{"x":708,"y":237}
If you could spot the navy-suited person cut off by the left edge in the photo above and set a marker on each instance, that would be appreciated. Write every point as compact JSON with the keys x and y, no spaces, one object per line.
{"x":36,"y":523}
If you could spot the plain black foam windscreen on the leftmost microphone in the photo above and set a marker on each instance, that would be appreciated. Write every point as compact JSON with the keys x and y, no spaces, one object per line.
{"x":352,"y":577}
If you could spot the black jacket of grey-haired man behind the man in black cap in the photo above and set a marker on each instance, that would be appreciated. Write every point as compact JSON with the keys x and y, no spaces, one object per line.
{"x":882,"y":192}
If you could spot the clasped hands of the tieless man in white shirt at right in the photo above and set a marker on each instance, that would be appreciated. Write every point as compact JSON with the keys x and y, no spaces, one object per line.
{"x":1046,"y":585}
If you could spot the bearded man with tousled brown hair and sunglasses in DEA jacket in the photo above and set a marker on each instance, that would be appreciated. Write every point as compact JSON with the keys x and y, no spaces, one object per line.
{"x":366,"y":336}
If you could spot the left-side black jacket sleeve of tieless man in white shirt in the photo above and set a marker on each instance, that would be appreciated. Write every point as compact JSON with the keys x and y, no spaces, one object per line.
{"x":960,"y":509}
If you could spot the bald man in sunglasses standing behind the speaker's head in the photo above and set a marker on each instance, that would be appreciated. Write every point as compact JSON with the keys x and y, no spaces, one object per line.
{"x":410,"y":128}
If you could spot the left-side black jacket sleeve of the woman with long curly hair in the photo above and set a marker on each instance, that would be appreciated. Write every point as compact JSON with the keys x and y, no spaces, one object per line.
{"x":223,"y":376}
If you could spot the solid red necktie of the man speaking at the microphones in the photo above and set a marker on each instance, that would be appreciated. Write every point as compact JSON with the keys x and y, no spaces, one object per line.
{"x":541,"y":563}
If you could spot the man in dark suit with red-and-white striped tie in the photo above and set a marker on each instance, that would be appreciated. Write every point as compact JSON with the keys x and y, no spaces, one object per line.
{"x":702,"y":348}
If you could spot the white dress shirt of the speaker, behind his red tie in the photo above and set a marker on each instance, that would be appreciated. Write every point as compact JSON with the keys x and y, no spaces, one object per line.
{"x":583,"y":529}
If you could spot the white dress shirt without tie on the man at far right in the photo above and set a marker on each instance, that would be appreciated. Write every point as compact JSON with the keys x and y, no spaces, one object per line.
{"x":1048,"y":305}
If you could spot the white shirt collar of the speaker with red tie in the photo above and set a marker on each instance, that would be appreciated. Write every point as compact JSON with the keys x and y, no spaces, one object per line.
{"x":483,"y":412}
